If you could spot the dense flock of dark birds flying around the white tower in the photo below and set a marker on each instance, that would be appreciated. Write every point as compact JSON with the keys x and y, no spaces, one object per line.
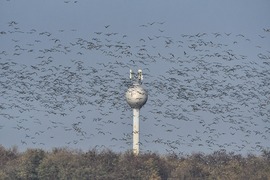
{"x":60,"y":89}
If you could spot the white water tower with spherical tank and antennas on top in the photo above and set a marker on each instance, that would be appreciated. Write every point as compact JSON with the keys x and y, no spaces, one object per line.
{"x":136,"y":97}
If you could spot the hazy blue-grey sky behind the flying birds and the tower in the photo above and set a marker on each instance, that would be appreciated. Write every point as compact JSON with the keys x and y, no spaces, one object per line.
{"x":65,"y":67}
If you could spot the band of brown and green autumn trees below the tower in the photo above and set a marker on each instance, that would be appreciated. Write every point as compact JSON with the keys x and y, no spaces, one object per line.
{"x":61,"y":163}
